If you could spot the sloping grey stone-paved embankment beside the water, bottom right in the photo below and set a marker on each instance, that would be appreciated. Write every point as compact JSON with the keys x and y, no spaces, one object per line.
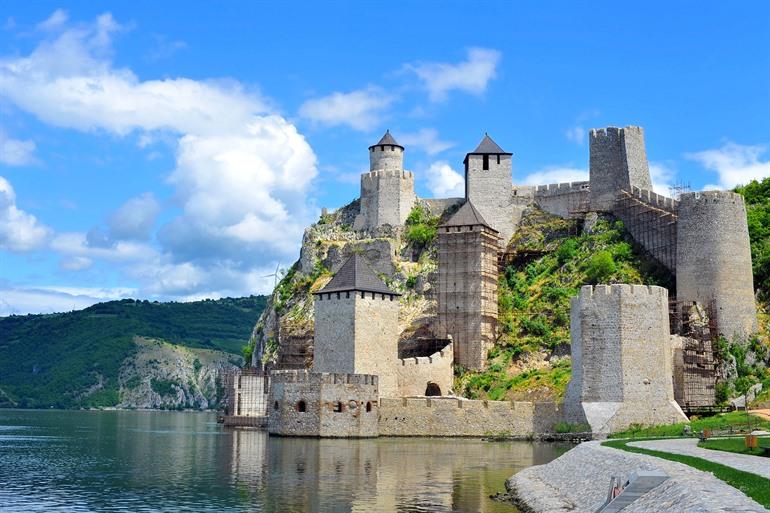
{"x":578,"y":481}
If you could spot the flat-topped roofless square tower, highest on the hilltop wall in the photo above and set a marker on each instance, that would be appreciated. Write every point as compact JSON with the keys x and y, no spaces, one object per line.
{"x":618,"y":160}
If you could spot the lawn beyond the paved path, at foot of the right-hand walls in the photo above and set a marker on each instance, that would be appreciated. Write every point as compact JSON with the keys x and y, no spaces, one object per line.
{"x":737,"y":422}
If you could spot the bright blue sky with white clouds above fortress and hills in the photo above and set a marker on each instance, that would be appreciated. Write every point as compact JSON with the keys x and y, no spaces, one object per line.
{"x":177,"y":150}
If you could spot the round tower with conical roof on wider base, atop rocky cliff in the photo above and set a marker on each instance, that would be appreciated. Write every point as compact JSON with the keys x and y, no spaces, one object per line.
{"x":387,"y":191}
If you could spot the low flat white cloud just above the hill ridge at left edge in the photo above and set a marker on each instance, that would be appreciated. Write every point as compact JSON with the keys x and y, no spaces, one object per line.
{"x":15,"y":300}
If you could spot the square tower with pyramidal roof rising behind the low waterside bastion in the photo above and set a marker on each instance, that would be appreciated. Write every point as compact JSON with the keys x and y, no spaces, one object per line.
{"x":356,"y":326}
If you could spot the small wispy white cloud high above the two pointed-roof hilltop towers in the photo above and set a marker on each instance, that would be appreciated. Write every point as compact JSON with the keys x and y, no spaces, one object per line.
{"x":471,"y":75}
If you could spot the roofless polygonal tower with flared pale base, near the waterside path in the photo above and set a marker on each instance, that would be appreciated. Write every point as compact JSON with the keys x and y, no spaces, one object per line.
{"x":621,"y":359}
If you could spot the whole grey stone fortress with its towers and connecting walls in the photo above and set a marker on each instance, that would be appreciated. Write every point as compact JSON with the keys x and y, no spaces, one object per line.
{"x":364,"y":381}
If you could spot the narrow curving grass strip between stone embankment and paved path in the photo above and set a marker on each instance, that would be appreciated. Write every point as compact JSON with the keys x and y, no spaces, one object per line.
{"x":756,"y":487}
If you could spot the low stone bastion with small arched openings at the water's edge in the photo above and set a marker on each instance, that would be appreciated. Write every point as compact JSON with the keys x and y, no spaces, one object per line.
{"x":335,"y":404}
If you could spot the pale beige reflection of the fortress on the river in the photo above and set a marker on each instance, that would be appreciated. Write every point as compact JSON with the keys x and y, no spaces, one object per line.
{"x":301,"y":474}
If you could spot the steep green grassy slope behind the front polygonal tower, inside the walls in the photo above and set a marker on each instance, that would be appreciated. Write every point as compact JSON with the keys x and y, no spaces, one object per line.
{"x":533,"y":336}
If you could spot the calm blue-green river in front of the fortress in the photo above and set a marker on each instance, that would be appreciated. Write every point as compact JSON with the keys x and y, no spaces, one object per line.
{"x":126,"y":461}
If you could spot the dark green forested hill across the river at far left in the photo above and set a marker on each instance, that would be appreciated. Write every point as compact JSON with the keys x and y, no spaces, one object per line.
{"x":76,"y":359}
